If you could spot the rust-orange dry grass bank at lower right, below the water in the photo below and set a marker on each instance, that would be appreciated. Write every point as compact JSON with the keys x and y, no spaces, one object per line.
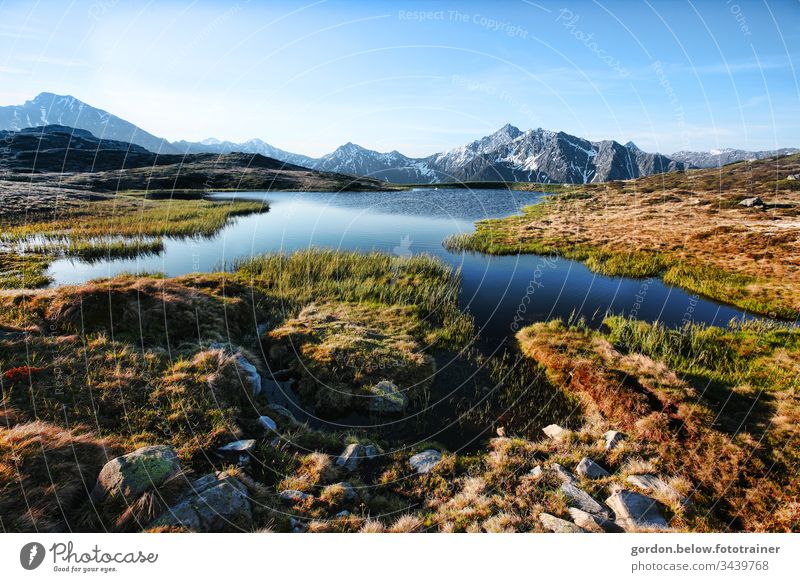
{"x":737,"y":468}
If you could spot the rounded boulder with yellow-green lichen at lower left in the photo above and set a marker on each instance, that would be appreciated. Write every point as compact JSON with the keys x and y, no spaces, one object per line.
{"x":130,"y":475}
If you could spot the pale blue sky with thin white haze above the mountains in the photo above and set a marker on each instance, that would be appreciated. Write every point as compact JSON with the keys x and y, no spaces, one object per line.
{"x":418,"y":77}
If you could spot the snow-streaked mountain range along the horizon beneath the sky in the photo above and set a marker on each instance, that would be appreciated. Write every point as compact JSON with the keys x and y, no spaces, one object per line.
{"x":508,"y":154}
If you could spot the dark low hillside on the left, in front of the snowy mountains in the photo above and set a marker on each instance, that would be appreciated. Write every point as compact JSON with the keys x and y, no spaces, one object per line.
{"x":78,"y":159}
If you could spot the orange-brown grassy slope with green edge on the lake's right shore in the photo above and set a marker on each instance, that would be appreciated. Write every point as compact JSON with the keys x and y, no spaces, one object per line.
{"x":639,"y":229}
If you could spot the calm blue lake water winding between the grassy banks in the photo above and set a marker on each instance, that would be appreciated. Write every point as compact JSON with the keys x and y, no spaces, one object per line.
{"x":503,"y":293}
